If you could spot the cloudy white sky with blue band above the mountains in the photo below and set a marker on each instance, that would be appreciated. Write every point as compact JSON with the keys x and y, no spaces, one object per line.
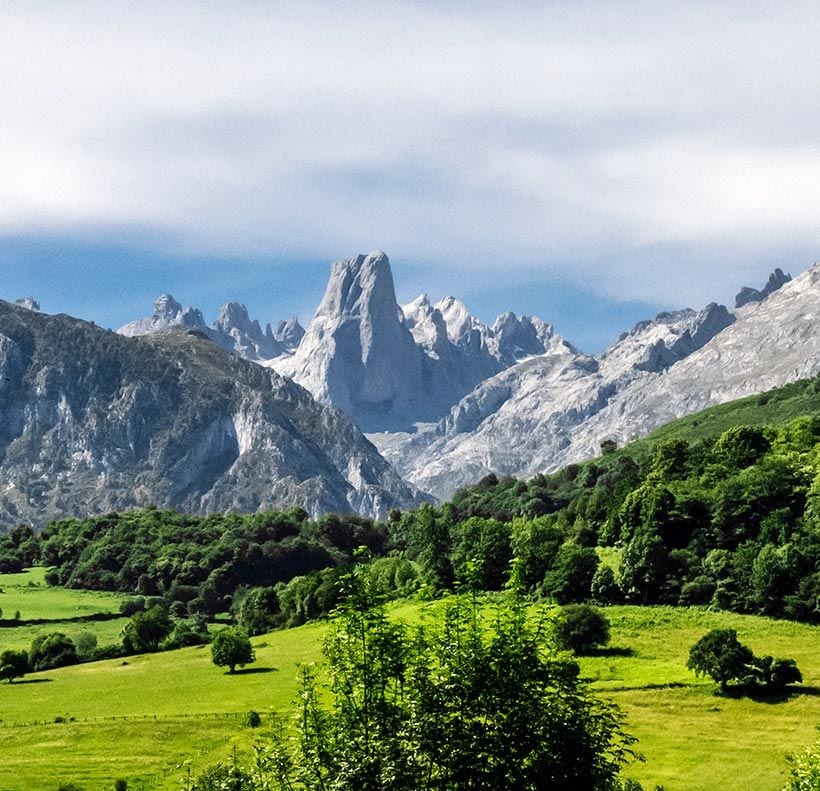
{"x":588,"y":162}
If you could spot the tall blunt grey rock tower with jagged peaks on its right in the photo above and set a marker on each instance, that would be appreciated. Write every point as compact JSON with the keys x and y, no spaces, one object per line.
{"x":392,"y":367}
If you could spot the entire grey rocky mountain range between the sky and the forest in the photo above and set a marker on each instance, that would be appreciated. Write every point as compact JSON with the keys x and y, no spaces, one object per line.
{"x":231,"y":416}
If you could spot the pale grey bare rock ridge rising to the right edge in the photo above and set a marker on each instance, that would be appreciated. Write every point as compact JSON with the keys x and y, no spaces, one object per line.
{"x":551,"y":410}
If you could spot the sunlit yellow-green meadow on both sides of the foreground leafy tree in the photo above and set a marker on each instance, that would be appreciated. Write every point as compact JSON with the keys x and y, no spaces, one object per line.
{"x":124,"y":718}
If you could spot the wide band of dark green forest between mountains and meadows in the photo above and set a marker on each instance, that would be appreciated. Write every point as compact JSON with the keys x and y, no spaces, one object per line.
{"x":729,"y":520}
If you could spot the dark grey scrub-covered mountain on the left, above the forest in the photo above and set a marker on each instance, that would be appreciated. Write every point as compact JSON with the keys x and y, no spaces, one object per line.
{"x":92,"y":421}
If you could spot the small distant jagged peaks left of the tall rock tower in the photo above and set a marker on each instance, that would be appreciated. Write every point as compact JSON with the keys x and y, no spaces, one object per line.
{"x":233,"y":329}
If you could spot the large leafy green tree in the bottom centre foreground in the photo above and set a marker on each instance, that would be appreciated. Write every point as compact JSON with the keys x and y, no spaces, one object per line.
{"x":448,"y":705}
